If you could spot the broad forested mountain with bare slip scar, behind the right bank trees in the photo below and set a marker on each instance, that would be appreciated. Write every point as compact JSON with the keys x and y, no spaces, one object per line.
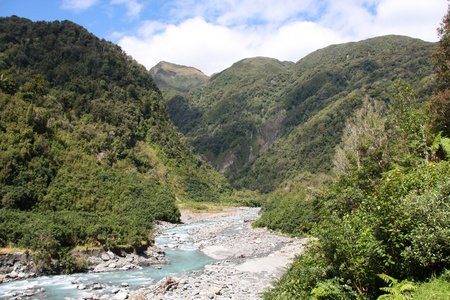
{"x":262,"y":121}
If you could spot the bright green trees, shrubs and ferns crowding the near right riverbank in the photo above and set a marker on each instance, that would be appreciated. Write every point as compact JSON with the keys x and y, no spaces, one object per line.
{"x":382,"y":228}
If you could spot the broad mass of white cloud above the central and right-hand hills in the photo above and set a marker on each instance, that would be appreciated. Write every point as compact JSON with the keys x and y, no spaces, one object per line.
{"x":211,"y":35}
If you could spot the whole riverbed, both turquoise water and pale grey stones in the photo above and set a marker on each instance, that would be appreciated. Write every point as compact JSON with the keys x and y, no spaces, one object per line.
{"x":213,"y":256}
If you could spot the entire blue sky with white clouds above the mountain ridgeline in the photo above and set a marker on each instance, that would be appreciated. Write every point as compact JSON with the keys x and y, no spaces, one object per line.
{"x":211,"y":35}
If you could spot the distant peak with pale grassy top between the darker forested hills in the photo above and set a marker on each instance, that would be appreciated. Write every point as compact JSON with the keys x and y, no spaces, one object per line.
{"x":170,"y":76}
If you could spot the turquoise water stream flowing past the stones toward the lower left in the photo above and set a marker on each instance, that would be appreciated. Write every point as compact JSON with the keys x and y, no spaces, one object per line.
{"x":180,"y":250}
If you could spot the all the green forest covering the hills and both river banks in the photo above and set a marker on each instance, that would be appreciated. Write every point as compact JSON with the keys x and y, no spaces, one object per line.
{"x":349,"y":146}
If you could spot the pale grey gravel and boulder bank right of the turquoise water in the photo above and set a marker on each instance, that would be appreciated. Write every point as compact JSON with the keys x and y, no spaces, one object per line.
{"x":248,"y":259}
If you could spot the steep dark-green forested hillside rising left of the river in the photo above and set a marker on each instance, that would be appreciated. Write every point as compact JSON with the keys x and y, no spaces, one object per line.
{"x":88,"y":154}
